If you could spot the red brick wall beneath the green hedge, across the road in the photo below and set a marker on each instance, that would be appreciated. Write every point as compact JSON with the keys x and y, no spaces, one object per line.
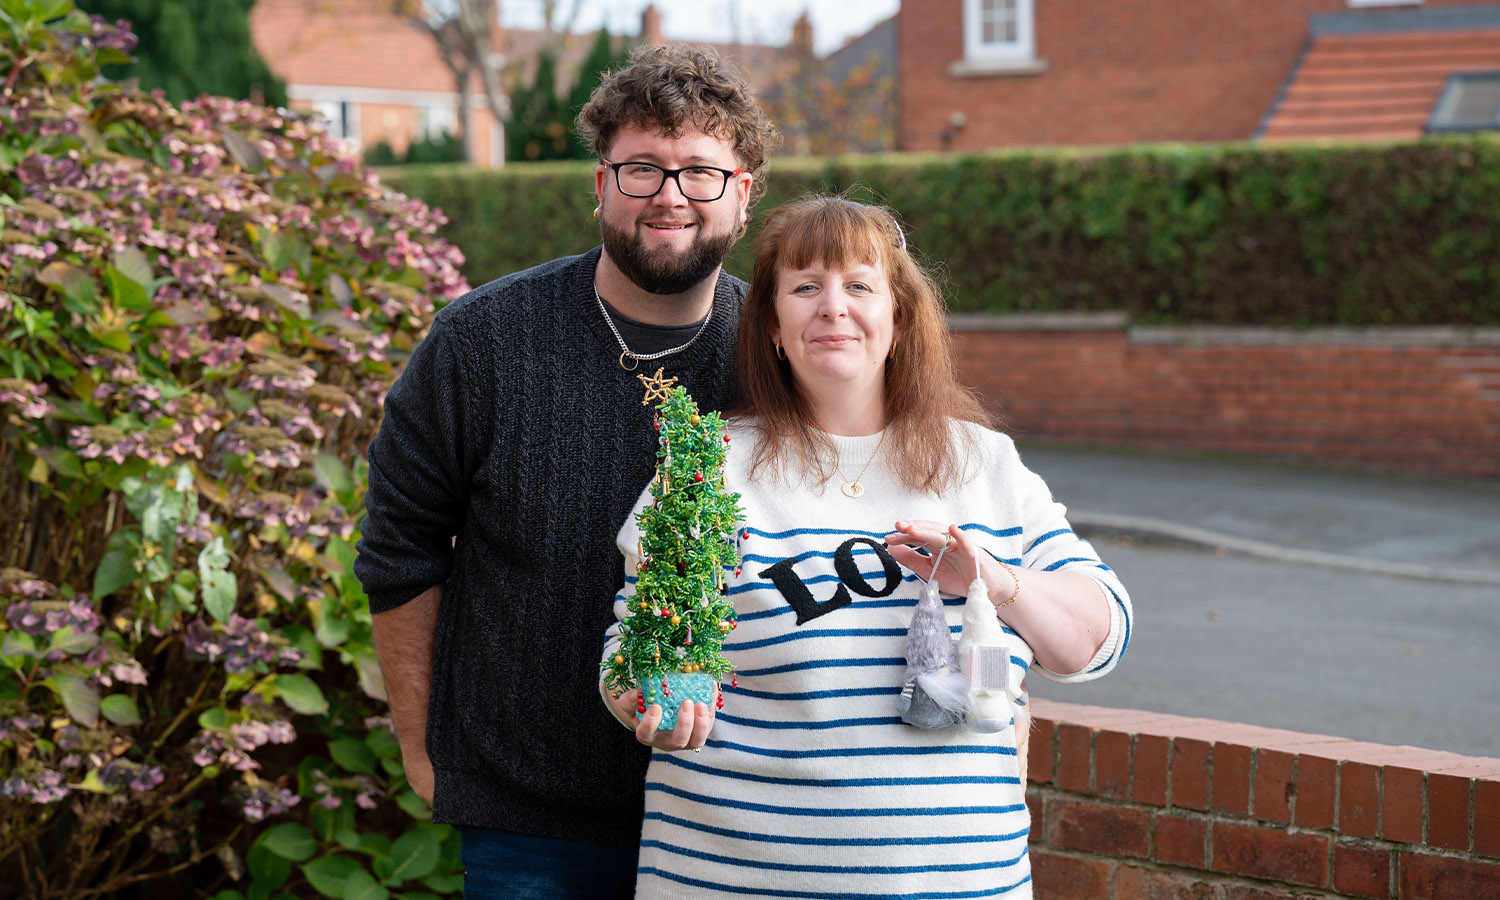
{"x":1418,"y":400}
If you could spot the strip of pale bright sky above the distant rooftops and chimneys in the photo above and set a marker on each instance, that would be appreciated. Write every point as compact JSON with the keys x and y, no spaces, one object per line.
{"x":760,"y":22}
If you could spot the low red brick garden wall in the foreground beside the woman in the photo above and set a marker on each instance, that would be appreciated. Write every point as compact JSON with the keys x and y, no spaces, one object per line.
{"x":1142,"y":806}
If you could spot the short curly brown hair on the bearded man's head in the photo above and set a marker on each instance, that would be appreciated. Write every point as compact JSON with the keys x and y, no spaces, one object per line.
{"x":679,"y":88}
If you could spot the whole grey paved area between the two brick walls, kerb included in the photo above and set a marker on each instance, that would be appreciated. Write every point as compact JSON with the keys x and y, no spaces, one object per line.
{"x":1300,"y":598}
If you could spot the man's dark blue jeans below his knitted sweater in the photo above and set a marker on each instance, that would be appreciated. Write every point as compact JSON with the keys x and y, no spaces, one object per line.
{"x":508,"y":866}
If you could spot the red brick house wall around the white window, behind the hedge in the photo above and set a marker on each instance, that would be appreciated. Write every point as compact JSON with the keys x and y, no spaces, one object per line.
{"x":1117,"y":73}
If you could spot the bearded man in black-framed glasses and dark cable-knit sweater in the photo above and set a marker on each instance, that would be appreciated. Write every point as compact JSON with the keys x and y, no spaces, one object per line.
{"x":514,"y":446}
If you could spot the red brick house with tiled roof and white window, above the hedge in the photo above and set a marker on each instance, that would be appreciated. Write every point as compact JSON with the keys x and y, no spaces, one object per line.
{"x":979,"y":74}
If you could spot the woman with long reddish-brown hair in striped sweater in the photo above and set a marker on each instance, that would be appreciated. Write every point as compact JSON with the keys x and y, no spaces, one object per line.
{"x":841,"y":767}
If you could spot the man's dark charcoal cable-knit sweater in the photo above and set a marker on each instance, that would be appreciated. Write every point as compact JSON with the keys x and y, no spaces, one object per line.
{"x":515,"y":430}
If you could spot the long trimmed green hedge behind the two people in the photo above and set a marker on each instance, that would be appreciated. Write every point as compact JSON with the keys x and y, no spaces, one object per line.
{"x":1237,"y":235}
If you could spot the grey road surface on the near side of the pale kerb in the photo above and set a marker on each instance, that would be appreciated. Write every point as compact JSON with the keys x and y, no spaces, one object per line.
{"x":1300,"y":647}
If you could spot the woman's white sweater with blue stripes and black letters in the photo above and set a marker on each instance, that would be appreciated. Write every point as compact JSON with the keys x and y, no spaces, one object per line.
{"x":811,"y":785}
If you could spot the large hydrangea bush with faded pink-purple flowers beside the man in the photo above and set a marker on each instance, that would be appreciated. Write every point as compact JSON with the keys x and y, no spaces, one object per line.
{"x":202,"y":310}
